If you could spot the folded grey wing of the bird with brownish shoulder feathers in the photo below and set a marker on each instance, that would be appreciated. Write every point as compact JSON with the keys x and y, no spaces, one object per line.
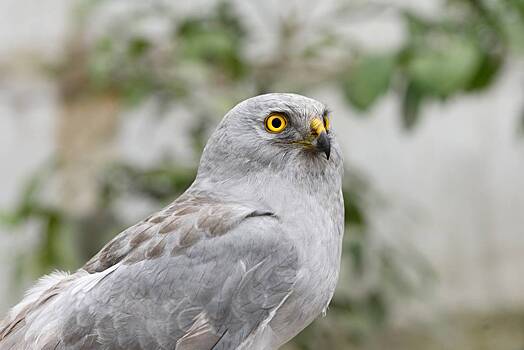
{"x":204,"y":273}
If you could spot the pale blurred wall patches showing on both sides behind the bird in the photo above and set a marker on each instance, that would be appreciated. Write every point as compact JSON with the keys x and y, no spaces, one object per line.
{"x":453,"y":188}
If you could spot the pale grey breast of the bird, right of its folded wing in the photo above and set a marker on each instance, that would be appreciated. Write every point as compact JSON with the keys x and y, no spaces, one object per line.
{"x":319,"y":241}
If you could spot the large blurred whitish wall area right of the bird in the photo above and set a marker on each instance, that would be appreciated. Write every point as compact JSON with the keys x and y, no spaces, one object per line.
{"x":454,"y":190}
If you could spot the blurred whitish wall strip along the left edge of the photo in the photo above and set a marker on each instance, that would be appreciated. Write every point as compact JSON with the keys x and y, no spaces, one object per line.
{"x":28,"y":106}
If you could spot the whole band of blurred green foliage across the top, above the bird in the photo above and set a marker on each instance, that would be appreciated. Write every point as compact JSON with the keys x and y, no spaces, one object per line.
{"x":461,"y":51}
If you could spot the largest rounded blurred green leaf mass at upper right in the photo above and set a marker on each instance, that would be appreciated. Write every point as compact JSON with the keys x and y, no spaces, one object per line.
{"x":445,"y":58}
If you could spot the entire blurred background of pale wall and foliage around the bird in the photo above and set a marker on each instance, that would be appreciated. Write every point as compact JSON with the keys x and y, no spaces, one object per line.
{"x":105,"y":107}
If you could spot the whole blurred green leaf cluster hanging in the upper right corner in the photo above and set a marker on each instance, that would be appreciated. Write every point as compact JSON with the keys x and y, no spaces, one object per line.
{"x":441,"y":57}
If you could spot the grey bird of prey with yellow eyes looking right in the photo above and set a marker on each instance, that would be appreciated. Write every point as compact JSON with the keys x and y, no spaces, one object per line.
{"x":245,"y":258}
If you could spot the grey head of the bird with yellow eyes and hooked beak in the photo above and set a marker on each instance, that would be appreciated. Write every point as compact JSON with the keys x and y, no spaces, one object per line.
{"x":286,"y":132}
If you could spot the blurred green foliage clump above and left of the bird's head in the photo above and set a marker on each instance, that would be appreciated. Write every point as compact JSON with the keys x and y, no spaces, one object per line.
{"x":134,"y":66}
